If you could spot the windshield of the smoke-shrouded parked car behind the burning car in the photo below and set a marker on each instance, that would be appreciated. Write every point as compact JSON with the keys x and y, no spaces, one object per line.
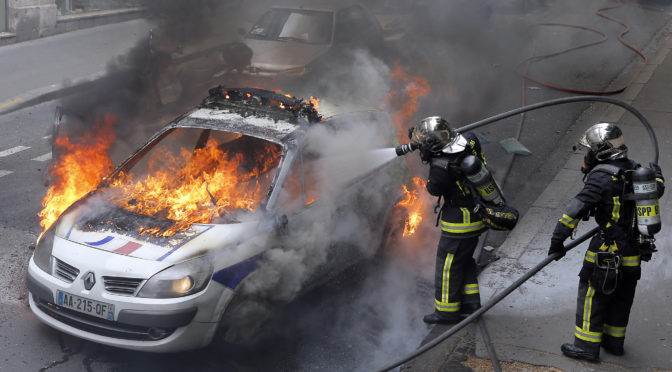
{"x":312,"y":27}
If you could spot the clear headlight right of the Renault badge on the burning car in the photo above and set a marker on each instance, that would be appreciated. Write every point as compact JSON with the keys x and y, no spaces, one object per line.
{"x":180,"y":280}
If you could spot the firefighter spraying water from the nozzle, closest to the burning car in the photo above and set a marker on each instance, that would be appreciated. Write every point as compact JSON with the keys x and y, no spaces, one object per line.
{"x":455,"y":280}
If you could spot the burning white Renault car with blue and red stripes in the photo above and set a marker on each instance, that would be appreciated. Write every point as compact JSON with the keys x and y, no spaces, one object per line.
{"x":176,"y":242}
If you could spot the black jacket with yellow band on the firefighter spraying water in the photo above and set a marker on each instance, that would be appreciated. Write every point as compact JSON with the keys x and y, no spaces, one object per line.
{"x":446,"y":180}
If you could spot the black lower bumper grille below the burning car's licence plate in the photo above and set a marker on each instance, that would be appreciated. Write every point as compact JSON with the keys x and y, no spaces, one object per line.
{"x":101,"y":326}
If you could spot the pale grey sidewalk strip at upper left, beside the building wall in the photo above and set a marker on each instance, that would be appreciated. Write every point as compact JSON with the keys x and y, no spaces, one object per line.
{"x":35,"y":70}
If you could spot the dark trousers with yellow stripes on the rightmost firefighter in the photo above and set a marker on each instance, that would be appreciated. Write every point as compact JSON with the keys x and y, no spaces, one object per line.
{"x":601,"y":318}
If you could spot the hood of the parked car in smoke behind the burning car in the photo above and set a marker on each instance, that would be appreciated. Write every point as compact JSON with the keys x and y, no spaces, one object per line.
{"x":283,"y":55}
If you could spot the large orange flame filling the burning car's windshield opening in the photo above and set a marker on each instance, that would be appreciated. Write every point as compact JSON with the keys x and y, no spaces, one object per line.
{"x":194,"y":187}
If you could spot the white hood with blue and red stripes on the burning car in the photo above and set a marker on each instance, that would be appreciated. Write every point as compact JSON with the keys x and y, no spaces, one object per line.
{"x":197,"y":240}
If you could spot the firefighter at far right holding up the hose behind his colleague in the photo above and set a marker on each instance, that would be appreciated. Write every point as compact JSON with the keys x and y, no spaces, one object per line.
{"x":611,"y":266}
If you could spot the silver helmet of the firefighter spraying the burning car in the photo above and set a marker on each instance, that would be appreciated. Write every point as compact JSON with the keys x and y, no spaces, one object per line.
{"x":435,"y":134}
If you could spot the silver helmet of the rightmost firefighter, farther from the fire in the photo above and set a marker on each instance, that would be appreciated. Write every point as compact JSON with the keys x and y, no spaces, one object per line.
{"x":605,"y":141}
